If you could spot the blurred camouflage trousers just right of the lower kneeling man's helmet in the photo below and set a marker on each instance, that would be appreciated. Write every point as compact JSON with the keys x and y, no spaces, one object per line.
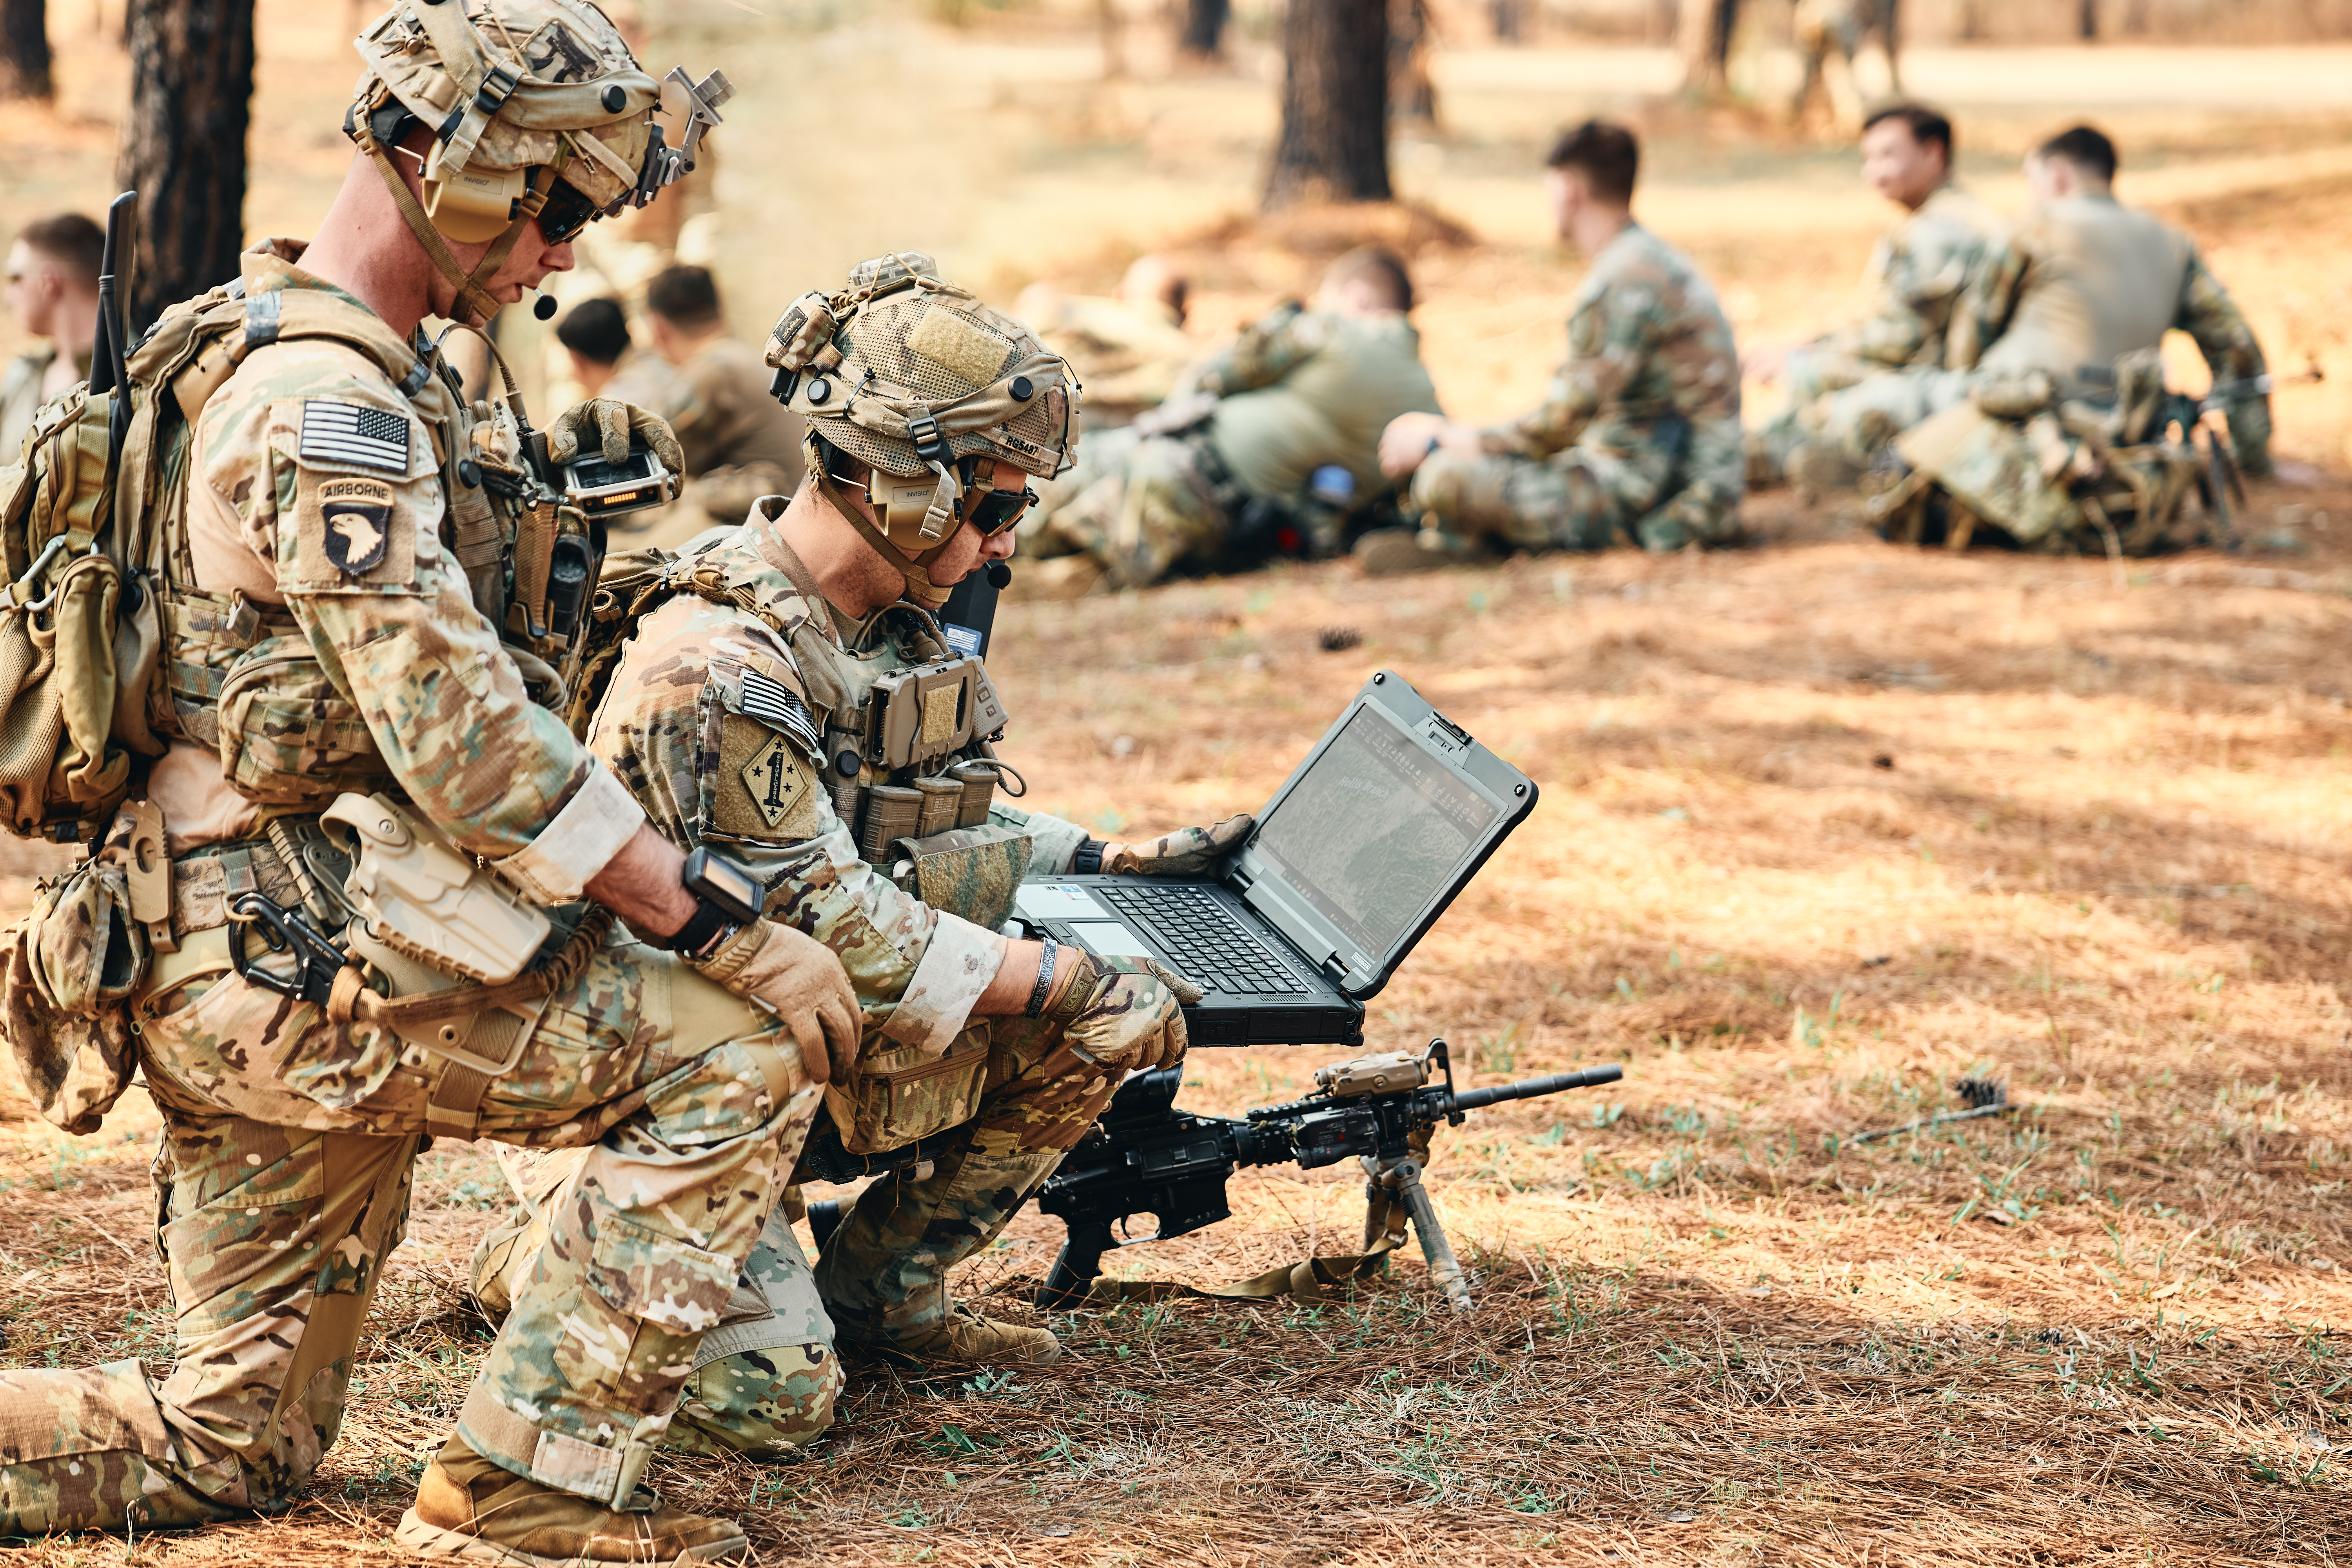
{"x":1137,"y":504}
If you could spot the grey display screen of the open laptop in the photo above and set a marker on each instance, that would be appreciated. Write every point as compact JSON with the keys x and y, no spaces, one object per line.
{"x":1375,"y":831}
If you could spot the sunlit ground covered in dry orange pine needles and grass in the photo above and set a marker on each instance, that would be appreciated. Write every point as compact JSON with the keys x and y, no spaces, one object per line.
{"x":1826,"y":826}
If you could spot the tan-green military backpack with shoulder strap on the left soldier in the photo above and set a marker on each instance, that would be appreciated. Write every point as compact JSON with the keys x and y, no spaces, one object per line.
{"x":98,"y":563}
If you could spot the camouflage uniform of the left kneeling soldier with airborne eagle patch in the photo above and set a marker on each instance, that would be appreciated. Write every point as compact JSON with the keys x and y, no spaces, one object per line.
{"x":326,"y":514}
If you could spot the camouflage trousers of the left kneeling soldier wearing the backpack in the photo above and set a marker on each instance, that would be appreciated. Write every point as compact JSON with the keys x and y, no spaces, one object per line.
{"x":283,"y":1186}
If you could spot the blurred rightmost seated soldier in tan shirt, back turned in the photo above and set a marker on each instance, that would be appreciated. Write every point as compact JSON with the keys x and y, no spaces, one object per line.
{"x":2073,"y":288}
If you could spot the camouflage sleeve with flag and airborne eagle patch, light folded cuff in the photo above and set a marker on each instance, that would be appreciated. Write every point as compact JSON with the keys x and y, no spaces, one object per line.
{"x":333,"y":478}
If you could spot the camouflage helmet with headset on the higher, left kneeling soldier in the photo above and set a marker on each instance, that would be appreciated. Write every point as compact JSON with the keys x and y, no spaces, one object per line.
{"x":537,"y":112}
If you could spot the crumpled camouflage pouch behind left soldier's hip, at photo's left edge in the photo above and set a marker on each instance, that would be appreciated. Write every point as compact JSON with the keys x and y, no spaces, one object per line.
{"x":67,"y":972}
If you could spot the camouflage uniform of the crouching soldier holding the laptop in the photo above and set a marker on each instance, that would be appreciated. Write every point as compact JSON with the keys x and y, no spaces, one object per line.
{"x":676,"y":730}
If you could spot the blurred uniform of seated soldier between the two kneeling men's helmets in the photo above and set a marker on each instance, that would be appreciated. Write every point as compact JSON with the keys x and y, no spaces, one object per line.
{"x":740,"y":443}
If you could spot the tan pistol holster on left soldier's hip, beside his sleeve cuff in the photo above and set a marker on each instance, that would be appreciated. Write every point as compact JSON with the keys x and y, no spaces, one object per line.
{"x":429,"y":902}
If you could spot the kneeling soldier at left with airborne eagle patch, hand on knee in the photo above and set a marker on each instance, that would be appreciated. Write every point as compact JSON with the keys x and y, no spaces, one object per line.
{"x":347,"y":565}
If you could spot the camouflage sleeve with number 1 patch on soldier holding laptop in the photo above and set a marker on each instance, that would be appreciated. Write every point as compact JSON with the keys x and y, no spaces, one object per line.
{"x":707,"y":772}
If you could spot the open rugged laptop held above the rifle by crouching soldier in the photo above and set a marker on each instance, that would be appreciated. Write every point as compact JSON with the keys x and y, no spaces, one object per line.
{"x":1356,"y":857}
